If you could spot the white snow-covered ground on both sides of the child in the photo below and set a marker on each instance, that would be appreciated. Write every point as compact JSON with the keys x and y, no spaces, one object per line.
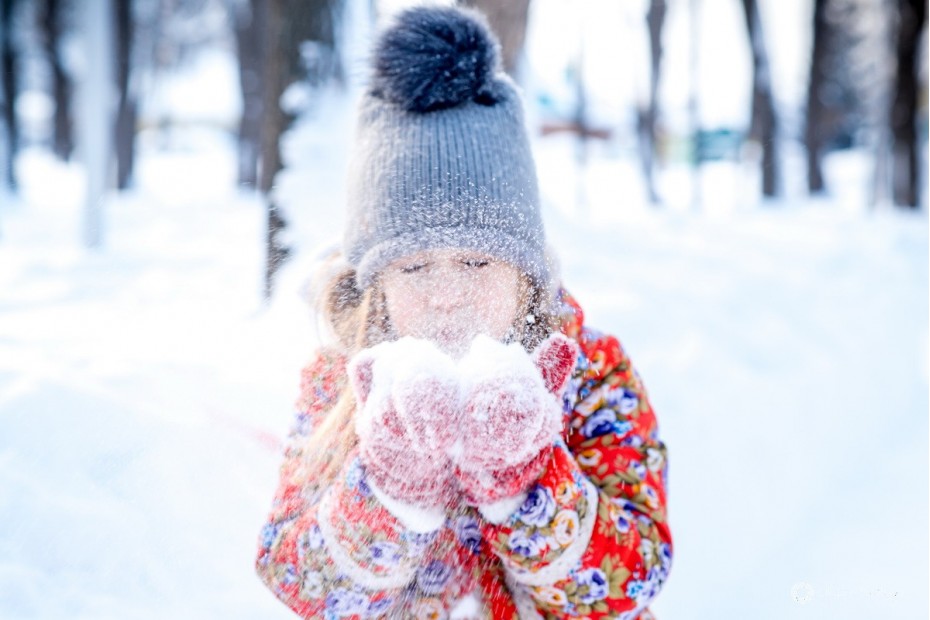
{"x":144,"y":387}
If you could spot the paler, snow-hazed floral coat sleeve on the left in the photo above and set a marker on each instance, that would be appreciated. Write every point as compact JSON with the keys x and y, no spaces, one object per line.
{"x":333,"y":551}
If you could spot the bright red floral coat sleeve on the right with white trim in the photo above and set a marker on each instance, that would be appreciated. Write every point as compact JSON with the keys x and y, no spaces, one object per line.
{"x":591,"y":538}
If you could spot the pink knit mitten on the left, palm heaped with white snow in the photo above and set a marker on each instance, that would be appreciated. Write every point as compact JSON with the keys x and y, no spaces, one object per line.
{"x":407,"y":396}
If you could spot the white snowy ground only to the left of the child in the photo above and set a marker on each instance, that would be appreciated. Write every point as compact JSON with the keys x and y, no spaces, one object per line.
{"x":135,"y":387}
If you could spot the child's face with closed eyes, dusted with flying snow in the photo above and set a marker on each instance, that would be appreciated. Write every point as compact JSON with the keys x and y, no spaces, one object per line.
{"x":451,"y":296}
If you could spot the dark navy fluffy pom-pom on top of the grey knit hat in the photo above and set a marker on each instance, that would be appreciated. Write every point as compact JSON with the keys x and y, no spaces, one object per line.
{"x":434,"y":58}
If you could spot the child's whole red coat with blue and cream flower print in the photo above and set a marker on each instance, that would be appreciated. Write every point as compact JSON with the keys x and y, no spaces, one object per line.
{"x":591,"y":539}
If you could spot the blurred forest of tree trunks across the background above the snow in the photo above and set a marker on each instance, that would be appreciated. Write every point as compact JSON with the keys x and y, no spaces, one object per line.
{"x":85,"y":80}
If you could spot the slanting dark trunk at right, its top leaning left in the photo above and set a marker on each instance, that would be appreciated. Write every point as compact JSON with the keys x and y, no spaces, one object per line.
{"x":763,"y":126}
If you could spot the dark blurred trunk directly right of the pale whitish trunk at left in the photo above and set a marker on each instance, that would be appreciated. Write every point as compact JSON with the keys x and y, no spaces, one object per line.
{"x":127,"y":109}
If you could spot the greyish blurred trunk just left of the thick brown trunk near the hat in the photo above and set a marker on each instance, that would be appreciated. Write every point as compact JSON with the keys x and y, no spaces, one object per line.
{"x":250,"y":31}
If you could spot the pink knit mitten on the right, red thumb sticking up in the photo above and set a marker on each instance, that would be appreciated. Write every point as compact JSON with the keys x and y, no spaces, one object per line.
{"x":512,"y":416}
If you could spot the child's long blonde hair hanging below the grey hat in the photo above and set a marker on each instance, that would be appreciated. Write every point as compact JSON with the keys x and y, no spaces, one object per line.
{"x":357,"y":319}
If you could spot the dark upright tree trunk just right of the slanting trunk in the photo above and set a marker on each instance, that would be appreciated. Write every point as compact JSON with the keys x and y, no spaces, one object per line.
{"x":815,"y":133}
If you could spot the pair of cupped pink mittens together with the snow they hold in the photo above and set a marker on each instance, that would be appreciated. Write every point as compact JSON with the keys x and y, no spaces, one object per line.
{"x":433,"y":431}
